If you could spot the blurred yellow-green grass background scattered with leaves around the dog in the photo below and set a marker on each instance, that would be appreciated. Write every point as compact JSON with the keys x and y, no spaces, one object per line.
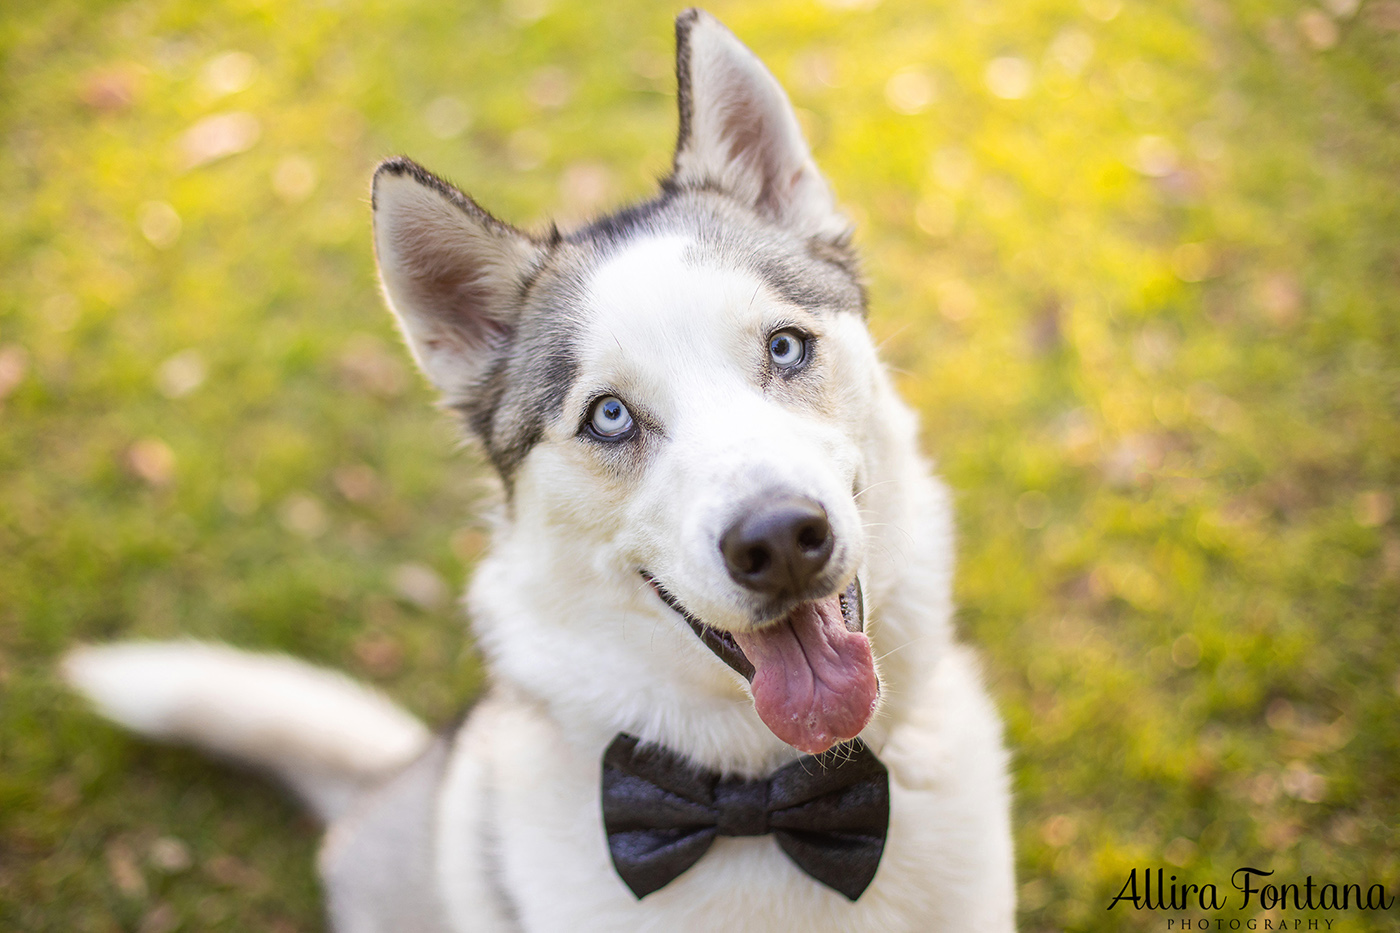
{"x":1137,"y":265}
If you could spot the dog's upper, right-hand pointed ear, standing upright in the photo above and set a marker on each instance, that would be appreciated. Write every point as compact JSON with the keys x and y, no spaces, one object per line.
{"x":740,"y":134}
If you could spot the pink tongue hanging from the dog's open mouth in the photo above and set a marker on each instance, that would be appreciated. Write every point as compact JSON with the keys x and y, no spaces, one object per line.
{"x":814,"y":682}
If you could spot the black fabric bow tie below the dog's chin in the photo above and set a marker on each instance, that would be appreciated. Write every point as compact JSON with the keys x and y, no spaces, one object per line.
{"x":828,"y":813}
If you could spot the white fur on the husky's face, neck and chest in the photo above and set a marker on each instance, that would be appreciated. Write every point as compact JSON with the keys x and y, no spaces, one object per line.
{"x":583,"y":651}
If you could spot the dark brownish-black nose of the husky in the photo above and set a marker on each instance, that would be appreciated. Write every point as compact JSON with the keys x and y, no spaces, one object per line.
{"x":779,"y":547}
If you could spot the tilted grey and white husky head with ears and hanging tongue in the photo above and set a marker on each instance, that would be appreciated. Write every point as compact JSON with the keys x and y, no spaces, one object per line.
{"x":680,"y":397}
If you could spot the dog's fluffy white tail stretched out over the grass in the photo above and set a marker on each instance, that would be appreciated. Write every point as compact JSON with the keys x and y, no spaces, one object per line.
{"x":317,"y":731}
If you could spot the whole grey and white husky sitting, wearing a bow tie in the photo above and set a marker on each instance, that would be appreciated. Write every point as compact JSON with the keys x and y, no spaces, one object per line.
{"x":719,"y":561}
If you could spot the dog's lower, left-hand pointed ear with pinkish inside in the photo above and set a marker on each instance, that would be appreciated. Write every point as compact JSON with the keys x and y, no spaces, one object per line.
{"x":451,"y":272}
